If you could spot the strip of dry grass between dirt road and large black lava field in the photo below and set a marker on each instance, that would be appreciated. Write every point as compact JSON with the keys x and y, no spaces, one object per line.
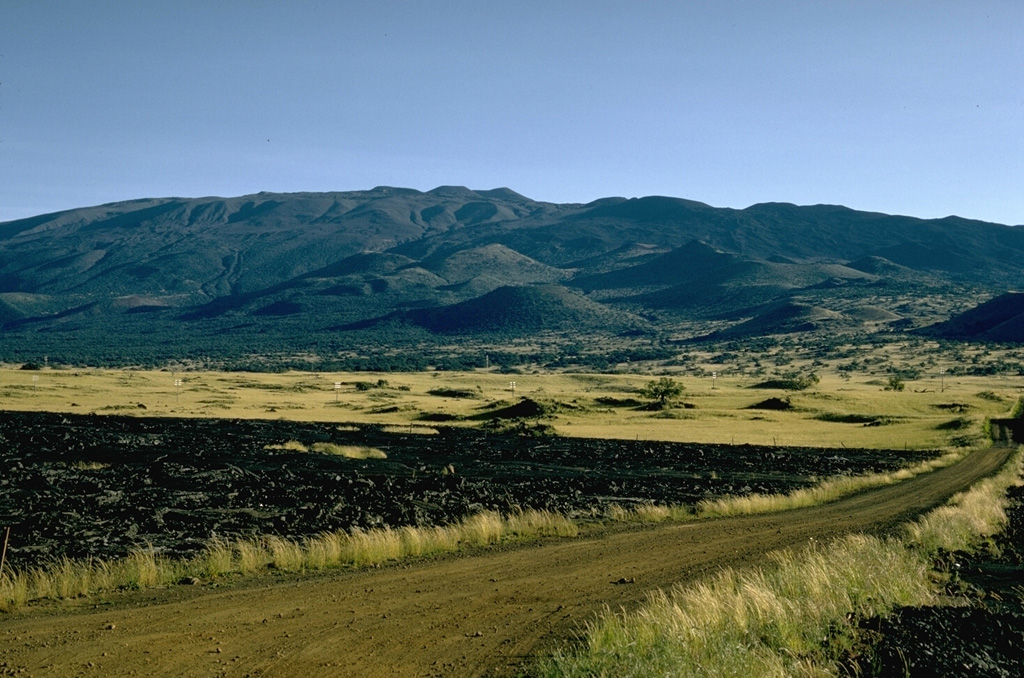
{"x":360,"y":548}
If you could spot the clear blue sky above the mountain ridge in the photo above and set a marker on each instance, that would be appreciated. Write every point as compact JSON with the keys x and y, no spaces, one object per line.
{"x":902,"y":107}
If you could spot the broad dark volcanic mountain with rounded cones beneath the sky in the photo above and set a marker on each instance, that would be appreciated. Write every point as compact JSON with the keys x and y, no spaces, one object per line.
{"x":280,"y":274}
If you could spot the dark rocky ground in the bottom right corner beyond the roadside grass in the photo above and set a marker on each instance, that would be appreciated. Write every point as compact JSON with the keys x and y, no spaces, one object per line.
{"x":985,"y":638}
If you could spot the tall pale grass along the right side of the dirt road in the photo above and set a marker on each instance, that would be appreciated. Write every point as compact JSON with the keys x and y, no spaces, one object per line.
{"x":796,"y":615}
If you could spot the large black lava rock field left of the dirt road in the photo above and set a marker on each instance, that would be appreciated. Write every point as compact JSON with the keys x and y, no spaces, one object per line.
{"x":92,"y":486}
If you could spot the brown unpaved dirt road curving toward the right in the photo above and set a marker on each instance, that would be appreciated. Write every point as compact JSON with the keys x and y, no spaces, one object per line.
{"x":480,"y":615}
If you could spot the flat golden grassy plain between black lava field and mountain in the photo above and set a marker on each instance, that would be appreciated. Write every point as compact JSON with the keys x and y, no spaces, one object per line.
{"x":932,"y":412}
